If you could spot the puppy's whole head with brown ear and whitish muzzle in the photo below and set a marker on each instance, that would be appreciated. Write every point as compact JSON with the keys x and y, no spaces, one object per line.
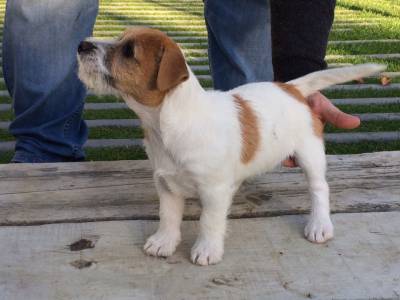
{"x":143,"y":64}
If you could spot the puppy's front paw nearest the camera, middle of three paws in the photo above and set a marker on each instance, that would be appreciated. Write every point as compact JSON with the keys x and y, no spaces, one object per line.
{"x":205,"y":252}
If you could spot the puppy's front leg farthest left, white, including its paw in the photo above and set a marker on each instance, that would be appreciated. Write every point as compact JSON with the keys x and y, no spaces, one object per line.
{"x":164,"y":242}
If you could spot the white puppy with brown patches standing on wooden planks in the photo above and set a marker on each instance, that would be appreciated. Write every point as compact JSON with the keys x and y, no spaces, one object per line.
{"x":206,"y":143}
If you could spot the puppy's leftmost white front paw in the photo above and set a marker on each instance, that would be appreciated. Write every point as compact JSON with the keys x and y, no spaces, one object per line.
{"x":161,"y":244}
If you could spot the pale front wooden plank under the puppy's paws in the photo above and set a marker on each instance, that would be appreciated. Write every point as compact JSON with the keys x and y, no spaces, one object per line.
{"x":265,"y":258}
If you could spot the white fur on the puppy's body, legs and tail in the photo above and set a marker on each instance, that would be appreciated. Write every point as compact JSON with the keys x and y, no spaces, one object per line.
{"x":194,"y":143}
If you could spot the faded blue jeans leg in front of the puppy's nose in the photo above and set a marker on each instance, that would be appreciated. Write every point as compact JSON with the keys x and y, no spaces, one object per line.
{"x":40,"y":70}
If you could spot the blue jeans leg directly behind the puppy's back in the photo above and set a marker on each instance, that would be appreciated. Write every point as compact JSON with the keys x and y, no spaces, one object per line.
{"x":239,"y":41}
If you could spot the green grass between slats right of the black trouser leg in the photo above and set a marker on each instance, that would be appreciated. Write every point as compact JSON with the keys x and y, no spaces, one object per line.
{"x":385,"y":13}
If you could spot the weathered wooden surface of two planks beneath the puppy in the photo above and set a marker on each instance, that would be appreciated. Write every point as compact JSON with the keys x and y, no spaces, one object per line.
{"x":266,"y":258}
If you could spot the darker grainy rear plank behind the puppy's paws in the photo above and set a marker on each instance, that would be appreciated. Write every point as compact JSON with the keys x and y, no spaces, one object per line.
{"x":94,"y":191}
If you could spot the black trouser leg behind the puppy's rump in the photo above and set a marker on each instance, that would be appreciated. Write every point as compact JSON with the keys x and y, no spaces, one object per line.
{"x":300,"y":31}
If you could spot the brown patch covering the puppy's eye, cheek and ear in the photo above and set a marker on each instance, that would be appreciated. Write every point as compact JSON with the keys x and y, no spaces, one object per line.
{"x":145,"y":64}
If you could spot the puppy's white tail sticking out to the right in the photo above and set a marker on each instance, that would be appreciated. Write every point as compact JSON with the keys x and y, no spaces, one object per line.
{"x":317,"y":81}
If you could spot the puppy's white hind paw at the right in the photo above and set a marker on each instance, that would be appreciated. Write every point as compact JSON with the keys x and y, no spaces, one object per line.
{"x":319,"y":229}
